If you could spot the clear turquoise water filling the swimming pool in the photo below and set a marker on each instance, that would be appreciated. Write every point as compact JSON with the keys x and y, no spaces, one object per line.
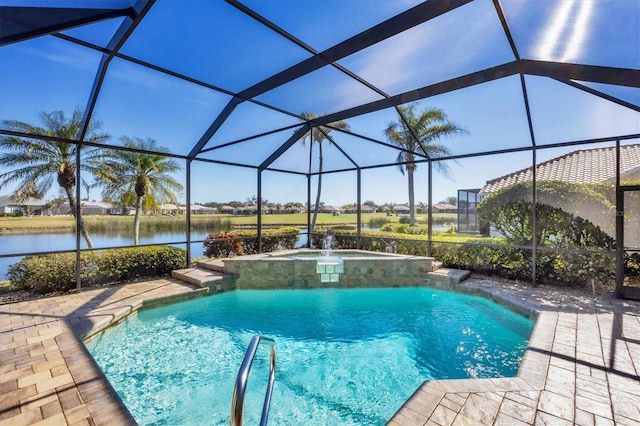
{"x":344,"y":356}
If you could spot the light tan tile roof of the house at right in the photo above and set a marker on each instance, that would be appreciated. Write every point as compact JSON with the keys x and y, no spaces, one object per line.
{"x":580,"y":166}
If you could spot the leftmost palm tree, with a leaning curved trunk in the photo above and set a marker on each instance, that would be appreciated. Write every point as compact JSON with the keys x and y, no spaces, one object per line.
{"x":34,"y":162}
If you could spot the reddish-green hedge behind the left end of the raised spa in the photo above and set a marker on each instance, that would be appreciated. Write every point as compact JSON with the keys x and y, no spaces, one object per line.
{"x":227,"y":244}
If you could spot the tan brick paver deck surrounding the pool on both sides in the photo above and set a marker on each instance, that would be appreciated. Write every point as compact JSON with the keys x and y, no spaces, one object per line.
{"x":581,"y":367}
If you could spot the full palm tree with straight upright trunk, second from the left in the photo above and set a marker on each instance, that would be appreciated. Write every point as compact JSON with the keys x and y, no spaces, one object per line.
{"x":140,"y":178}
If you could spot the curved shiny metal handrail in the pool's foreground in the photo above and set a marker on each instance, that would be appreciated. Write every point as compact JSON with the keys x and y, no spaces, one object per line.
{"x":237,"y":403}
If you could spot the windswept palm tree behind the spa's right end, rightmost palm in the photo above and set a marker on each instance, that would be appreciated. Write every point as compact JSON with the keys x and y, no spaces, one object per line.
{"x":418,"y":133}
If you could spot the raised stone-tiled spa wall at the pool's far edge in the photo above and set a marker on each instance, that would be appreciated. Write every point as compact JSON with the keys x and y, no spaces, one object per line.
{"x":283,"y":270}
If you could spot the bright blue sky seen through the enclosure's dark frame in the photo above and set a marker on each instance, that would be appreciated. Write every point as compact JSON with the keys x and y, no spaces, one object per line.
{"x":219,"y":45}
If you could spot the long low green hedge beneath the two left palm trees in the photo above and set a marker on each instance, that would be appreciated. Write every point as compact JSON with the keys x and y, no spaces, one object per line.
{"x":56,"y":272}
